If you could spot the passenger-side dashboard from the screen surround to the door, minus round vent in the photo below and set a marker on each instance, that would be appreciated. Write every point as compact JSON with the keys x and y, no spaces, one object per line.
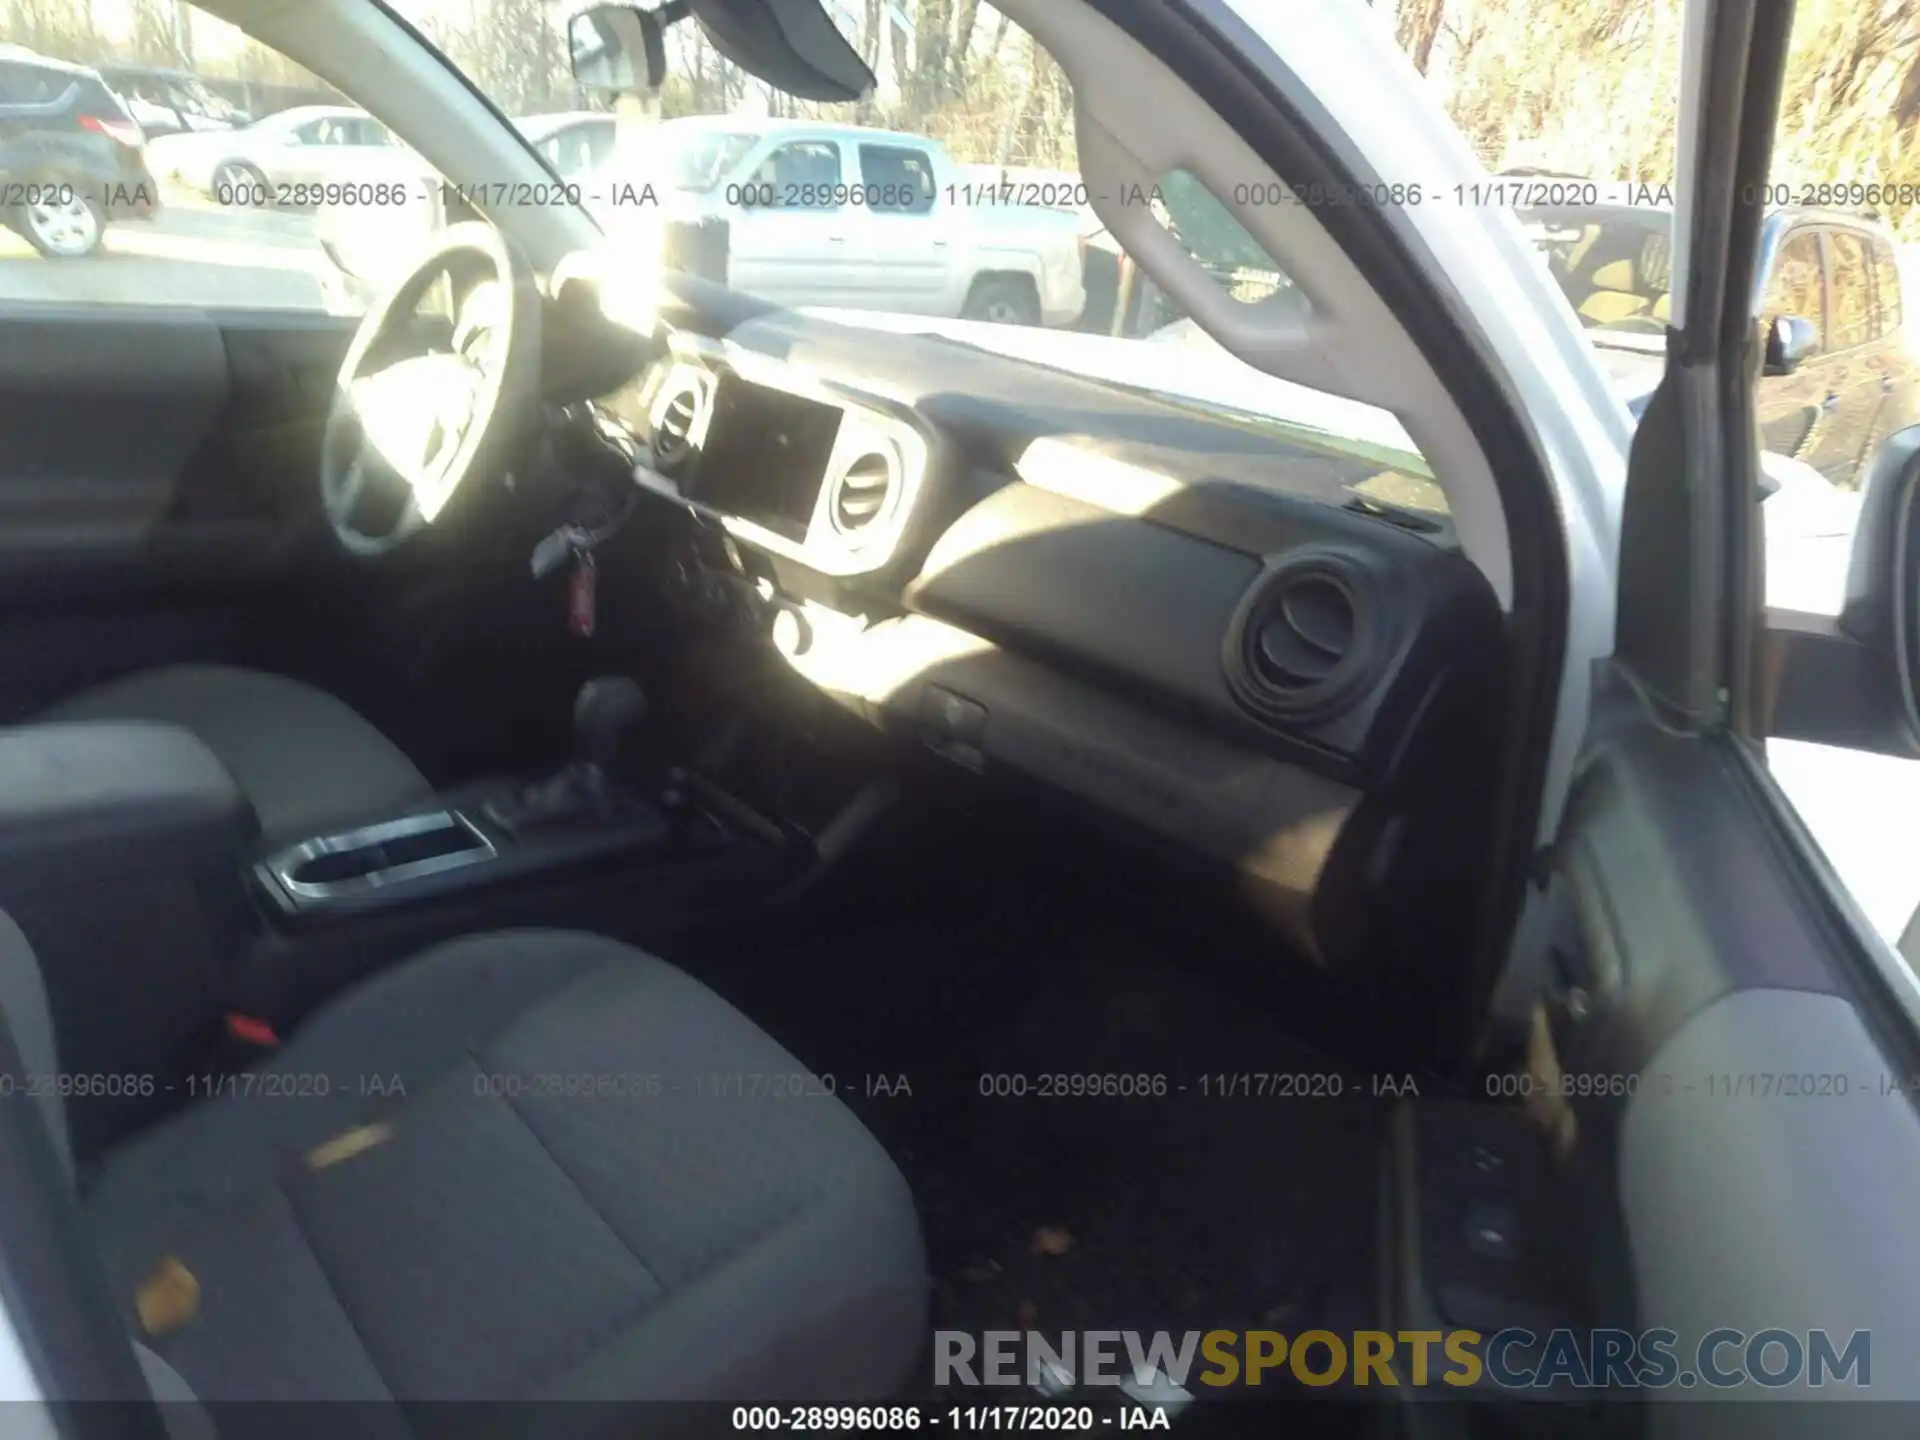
{"x":1086,"y":598}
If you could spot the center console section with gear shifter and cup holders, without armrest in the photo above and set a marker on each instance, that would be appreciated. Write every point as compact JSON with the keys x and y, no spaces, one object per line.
{"x":602,"y":844}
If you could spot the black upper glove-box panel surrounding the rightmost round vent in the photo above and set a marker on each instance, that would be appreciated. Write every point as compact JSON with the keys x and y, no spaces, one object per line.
{"x":1151,"y":612}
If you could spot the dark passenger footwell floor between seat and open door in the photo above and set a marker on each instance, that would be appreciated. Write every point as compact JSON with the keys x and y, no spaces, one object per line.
{"x":1222,"y":1176}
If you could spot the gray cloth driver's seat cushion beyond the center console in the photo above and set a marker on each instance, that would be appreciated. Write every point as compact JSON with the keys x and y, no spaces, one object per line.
{"x":304,"y":759}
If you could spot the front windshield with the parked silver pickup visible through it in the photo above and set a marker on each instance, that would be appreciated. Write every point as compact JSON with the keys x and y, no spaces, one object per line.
{"x":948,"y":203}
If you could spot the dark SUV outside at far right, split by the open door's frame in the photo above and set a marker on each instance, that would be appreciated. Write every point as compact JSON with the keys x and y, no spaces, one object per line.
{"x":1842,"y":370}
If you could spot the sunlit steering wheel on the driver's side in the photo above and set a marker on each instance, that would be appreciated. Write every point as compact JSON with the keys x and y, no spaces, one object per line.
{"x":406,"y":427}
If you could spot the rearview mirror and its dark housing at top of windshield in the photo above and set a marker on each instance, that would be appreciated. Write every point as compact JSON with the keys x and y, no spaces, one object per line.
{"x":792,"y":45}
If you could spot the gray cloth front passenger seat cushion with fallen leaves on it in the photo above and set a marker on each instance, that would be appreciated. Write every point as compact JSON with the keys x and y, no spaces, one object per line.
{"x":569,"y":1172}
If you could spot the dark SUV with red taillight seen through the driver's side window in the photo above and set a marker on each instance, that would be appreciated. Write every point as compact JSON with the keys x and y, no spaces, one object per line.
{"x":72,"y":158}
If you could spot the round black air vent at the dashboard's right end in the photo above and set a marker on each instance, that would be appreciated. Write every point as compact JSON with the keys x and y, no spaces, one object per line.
{"x":1305,"y":644}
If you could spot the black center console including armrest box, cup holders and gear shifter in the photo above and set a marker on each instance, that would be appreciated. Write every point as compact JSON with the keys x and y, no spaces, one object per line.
{"x":133,"y":863}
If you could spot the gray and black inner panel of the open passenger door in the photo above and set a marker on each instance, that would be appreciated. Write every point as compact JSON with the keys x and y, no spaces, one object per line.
{"x":1710,"y":976}
